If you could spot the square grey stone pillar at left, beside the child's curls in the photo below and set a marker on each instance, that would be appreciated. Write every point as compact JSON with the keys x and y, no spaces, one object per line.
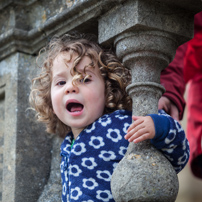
{"x":26,"y":149}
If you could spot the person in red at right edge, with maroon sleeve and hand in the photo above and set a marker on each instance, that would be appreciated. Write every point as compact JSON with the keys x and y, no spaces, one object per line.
{"x":187,"y":68}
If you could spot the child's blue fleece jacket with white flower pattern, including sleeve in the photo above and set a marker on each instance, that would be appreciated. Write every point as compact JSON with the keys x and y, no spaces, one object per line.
{"x":87,"y":166}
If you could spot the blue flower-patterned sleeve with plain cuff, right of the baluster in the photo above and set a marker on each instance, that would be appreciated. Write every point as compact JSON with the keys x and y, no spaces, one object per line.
{"x":170,"y":139}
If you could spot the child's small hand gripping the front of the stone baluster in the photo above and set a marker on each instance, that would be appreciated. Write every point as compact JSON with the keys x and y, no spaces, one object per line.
{"x":141,"y":129}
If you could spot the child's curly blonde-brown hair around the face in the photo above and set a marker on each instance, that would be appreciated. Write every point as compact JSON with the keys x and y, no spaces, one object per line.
{"x":115,"y":75}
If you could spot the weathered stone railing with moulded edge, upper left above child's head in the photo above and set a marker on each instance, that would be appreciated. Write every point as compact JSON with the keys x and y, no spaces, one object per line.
{"x":28,"y":25}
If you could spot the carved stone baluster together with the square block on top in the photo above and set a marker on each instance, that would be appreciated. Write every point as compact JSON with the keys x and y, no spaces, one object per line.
{"x":148,"y":34}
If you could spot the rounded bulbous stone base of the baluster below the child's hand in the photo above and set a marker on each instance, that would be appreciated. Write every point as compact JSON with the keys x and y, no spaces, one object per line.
{"x":149,"y":185}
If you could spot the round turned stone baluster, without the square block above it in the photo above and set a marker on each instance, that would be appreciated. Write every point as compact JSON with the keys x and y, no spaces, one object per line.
{"x":144,"y":174}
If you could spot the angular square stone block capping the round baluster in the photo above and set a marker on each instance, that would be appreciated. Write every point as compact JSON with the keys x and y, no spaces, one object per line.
{"x":146,"y":15}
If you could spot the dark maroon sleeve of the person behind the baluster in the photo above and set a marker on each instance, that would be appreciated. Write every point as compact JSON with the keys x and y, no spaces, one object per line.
{"x":173,"y":81}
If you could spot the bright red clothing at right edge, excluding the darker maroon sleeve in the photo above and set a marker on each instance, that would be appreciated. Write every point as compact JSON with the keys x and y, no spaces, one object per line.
{"x":193,"y":75}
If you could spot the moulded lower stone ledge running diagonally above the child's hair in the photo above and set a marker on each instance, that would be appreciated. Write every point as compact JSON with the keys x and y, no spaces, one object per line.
{"x":82,"y":16}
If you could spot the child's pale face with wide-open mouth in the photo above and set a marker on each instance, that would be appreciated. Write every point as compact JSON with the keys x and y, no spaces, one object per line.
{"x":76,"y":105}
